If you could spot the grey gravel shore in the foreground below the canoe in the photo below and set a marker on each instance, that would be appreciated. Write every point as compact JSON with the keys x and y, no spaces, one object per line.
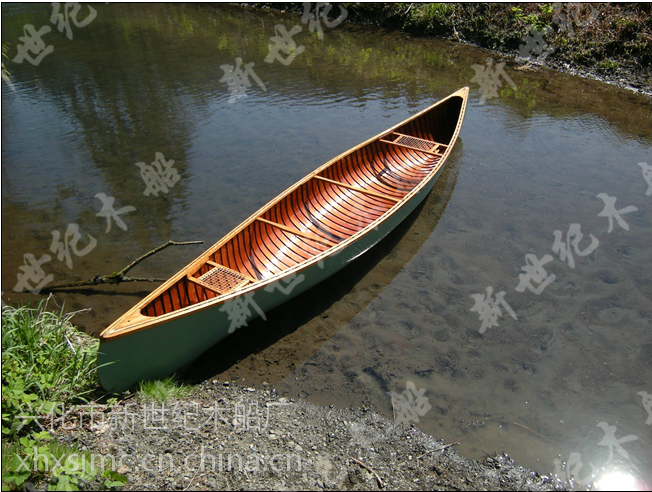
{"x":226,"y":436}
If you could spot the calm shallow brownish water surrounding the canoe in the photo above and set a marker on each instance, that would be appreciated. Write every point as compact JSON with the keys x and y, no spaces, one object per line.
{"x":562,"y":374}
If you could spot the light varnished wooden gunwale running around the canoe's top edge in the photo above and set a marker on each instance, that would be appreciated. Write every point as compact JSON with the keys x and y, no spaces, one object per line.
{"x":133,"y":321}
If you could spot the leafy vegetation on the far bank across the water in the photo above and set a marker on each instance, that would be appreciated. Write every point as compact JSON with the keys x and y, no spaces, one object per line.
{"x":604,"y":38}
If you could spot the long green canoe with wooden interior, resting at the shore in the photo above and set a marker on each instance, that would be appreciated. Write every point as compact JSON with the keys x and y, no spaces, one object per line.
{"x":301,"y":237}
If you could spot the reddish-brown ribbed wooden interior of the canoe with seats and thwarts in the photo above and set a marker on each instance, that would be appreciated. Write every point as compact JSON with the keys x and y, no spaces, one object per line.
{"x":337,"y":201}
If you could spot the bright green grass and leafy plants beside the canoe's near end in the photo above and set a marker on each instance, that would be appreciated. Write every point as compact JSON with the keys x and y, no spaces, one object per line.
{"x":46,"y":365}
